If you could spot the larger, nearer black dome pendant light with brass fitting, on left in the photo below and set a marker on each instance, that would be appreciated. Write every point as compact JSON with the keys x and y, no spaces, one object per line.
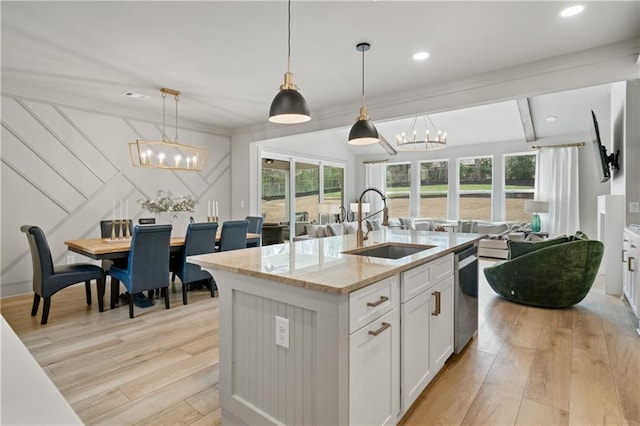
{"x":289,"y":106}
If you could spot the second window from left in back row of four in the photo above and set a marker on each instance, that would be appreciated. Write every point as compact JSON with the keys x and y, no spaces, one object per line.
{"x":434,"y":188}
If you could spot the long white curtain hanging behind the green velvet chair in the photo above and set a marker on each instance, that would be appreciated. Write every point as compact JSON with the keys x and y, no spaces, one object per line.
{"x":557,"y":176}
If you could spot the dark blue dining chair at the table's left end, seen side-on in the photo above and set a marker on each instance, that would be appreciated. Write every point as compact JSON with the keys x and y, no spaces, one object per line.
{"x":49,"y":279}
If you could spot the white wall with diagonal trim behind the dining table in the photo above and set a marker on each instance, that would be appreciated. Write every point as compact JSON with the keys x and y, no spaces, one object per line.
{"x":62,"y":167}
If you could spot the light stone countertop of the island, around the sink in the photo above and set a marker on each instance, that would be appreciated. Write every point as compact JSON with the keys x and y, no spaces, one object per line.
{"x":321,"y":265}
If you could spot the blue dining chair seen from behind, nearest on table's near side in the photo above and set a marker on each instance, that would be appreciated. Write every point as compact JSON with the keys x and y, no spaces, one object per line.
{"x":147,"y":265}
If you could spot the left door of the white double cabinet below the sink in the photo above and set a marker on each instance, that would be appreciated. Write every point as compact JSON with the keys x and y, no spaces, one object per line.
{"x":414,"y":368}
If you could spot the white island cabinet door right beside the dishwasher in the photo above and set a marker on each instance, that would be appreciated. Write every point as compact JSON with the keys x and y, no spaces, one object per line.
{"x":441,"y":324}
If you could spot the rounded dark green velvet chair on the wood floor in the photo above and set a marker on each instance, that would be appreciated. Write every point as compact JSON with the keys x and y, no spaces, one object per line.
{"x":553,"y":276}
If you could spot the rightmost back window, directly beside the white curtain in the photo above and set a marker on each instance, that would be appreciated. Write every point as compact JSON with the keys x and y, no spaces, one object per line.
{"x":519,"y":185}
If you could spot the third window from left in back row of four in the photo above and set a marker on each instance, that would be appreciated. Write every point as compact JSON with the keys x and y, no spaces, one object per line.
{"x":474,"y":190}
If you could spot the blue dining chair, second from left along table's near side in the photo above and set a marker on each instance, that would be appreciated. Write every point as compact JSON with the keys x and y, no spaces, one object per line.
{"x":200,"y":239}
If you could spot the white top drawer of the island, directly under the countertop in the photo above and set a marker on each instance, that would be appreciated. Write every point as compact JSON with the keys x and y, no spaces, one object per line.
{"x":371,"y":302}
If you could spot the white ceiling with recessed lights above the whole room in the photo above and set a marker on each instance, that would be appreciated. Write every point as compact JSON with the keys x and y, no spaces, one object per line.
{"x":228,"y":58}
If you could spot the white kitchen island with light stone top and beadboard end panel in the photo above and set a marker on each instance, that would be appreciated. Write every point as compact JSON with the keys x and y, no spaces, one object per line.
{"x":312,"y":335}
